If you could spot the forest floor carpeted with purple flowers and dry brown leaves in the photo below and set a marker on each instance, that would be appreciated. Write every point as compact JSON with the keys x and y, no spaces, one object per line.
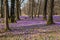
{"x":28,"y":29}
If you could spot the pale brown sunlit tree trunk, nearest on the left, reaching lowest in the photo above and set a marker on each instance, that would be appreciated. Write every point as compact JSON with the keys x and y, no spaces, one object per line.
{"x":6,"y":15}
